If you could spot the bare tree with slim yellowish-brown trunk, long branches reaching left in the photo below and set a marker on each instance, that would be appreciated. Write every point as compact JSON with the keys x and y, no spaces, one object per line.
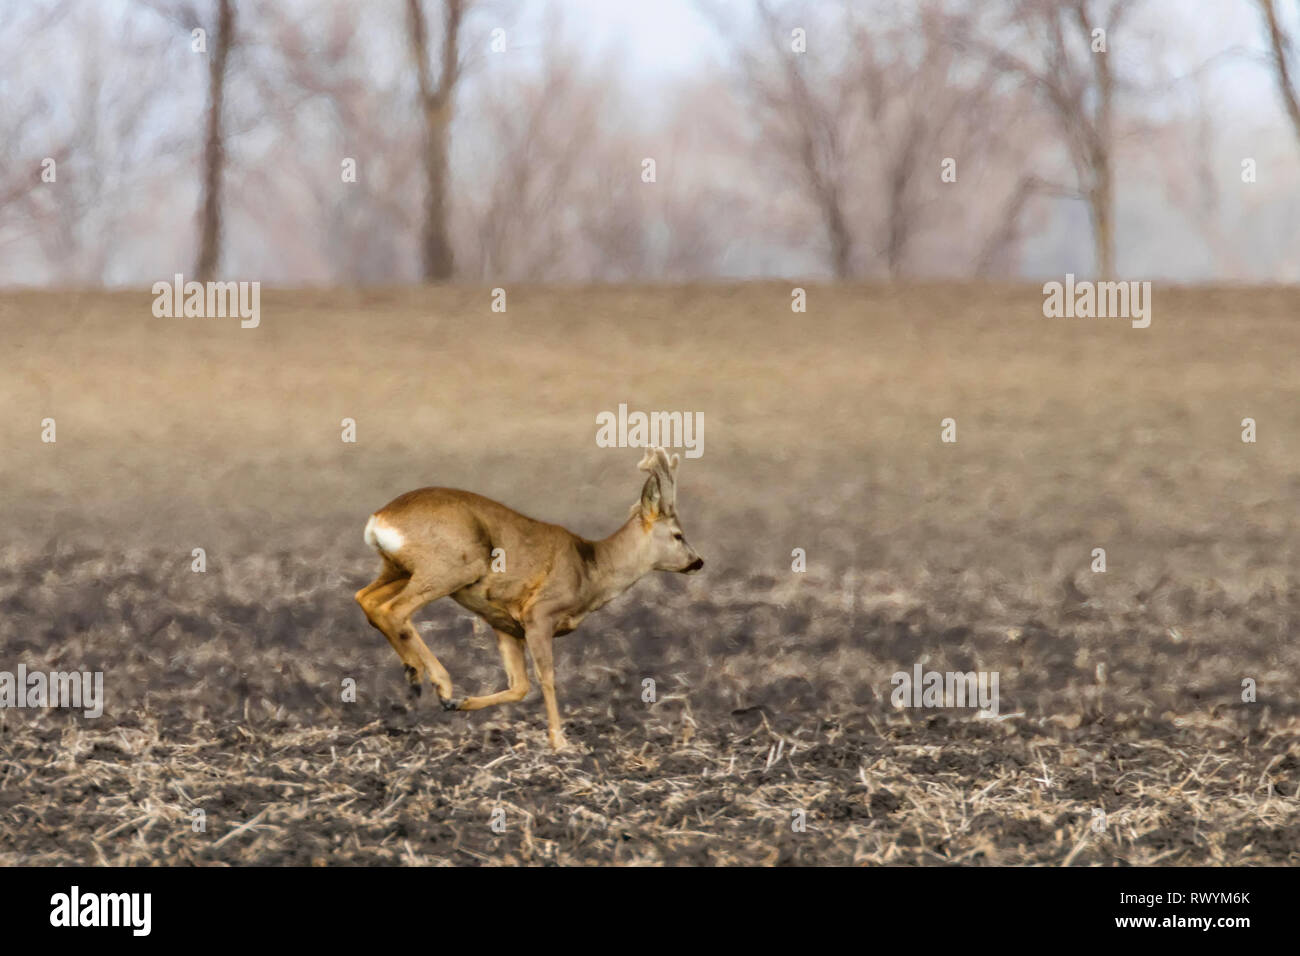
{"x":1059,"y":49}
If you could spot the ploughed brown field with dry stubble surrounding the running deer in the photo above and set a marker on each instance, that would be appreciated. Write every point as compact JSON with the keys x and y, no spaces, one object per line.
{"x":1120,"y":693}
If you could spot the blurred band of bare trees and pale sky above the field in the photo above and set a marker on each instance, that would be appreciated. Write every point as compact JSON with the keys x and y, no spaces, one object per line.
{"x":393,"y":141}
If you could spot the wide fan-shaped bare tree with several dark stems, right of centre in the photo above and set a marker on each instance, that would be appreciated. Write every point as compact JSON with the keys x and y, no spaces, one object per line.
{"x":863,"y":118}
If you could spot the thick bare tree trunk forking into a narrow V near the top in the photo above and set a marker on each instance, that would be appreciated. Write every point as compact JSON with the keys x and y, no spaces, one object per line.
{"x":436,"y":109}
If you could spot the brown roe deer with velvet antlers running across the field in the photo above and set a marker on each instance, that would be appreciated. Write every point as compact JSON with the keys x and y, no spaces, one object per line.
{"x":541,"y":583}
